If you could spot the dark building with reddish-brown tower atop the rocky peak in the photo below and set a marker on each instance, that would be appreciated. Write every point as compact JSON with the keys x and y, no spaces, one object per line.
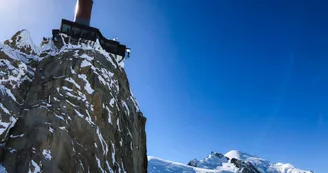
{"x":80,"y":29}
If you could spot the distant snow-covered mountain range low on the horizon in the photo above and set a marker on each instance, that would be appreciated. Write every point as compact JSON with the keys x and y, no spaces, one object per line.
{"x":232,"y":162}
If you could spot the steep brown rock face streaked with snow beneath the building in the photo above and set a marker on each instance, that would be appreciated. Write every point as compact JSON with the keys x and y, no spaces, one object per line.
{"x":67,"y":108}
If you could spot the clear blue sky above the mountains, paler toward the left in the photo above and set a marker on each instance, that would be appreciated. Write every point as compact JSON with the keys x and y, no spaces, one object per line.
{"x":215,"y":74}
